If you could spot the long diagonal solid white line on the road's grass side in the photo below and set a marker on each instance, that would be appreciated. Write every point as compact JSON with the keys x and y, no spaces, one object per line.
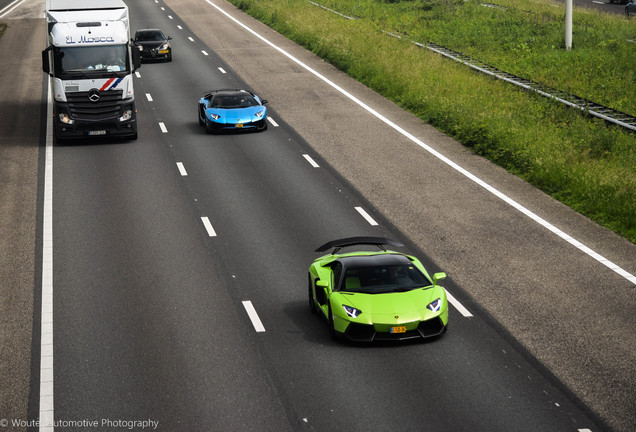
{"x":435,"y":153}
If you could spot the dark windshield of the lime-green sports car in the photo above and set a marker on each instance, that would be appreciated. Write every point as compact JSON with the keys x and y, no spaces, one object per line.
{"x":383,"y":279}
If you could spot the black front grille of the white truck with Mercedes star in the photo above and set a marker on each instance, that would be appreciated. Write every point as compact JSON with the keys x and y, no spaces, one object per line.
{"x":107,"y":106}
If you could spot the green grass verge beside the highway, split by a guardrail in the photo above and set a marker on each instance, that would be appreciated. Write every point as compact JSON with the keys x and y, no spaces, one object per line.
{"x":578,"y":160}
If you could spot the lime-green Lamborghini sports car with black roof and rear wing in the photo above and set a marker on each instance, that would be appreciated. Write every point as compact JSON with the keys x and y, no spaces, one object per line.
{"x":376,"y":295}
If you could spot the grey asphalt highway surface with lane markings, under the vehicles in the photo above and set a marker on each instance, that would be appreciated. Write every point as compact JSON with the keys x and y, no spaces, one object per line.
{"x":161,"y":247}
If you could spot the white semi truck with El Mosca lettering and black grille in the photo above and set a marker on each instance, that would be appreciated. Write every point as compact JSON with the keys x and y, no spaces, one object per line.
{"x":91,"y":64}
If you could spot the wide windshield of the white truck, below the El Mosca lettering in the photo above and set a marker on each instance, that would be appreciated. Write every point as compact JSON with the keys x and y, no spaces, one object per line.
{"x":103,"y":58}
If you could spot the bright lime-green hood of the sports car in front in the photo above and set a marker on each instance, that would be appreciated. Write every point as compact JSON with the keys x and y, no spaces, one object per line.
{"x":408,"y":306}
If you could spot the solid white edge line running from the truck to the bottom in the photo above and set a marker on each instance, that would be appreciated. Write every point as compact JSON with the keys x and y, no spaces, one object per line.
{"x":46,"y":333}
